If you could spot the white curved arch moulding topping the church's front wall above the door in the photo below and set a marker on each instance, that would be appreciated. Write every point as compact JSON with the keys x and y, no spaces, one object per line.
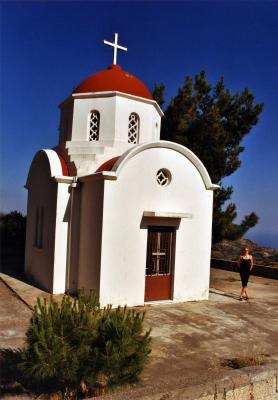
{"x":120,"y":163}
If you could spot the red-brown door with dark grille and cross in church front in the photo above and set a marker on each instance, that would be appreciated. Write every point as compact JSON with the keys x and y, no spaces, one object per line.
{"x":160,"y":248}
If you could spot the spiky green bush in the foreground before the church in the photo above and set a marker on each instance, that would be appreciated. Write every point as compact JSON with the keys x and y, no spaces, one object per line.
{"x":76,"y":348}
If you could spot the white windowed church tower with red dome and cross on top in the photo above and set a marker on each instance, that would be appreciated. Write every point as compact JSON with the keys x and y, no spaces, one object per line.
{"x":107,"y":114}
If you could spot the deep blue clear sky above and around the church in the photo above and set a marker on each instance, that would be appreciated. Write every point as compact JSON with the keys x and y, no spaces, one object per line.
{"x":49,"y":47}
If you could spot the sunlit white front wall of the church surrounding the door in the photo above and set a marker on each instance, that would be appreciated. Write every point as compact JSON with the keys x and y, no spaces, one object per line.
{"x":124,"y":234}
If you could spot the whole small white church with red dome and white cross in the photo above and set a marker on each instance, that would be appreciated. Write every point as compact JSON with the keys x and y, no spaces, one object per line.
{"x":114,"y":208}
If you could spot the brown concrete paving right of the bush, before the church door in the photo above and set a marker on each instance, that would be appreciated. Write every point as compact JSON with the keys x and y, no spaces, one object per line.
{"x":193,"y":341}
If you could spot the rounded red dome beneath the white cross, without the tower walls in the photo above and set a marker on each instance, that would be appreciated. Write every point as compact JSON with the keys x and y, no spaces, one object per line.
{"x":114,"y":79}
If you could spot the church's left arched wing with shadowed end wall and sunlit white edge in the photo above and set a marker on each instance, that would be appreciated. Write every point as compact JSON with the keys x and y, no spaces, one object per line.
{"x":46,"y":265}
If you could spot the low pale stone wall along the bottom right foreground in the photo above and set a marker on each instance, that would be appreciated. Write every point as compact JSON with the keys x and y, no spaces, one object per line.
{"x":252,"y":383}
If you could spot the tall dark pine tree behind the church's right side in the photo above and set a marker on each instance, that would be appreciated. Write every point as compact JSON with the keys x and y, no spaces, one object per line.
{"x":212,"y":122}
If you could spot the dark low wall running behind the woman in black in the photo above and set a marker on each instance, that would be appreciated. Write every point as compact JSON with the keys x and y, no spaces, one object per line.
{"x":258,"y":270}
